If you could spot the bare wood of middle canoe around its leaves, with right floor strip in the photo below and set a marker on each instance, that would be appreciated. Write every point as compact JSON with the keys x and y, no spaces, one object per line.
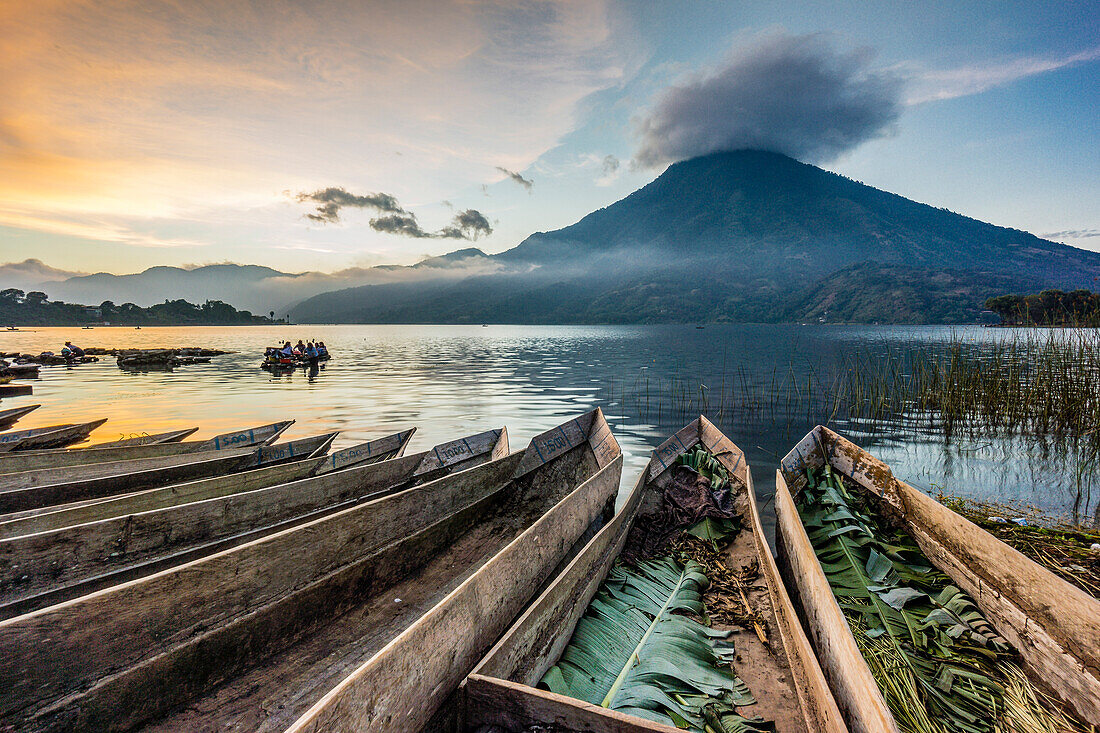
{"x":502,"y":694}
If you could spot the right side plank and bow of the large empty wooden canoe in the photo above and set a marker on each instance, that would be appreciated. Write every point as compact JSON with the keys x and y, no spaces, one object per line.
{"x":575,"y":471}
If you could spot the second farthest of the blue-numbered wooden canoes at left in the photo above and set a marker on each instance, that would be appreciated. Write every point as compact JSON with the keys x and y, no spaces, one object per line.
{"x":30,"y":490}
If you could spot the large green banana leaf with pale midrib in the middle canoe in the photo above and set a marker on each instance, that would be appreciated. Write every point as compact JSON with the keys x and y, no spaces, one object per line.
{"x":636,"y":653}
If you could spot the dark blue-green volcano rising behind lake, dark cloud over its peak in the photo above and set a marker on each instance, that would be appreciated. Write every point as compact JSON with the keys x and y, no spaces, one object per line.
{"x":744,"y":236}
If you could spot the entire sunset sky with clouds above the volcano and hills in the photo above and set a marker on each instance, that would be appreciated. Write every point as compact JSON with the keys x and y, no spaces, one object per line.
{"x":331,"y":135}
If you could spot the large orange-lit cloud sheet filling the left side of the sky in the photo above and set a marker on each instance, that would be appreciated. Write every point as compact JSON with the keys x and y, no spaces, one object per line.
{"x":156,"y":112}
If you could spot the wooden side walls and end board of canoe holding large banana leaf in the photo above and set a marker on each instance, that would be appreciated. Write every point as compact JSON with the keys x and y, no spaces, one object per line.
{"x":502,"y":691}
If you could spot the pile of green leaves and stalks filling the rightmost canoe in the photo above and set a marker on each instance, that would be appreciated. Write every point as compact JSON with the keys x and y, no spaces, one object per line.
{"x":940,"y":664}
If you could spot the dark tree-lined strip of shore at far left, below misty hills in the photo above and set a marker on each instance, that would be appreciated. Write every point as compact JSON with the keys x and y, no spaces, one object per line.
{"x":35,"y":309}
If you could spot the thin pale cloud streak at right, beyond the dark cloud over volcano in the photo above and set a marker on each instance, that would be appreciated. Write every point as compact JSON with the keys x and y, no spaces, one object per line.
{"x":938,"y":85}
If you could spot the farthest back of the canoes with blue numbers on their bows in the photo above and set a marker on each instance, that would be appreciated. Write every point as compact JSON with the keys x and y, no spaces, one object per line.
{"x":32,"y":461}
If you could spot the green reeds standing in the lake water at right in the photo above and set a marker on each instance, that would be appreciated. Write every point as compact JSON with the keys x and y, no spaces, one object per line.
{"x":1043,"y":387}
